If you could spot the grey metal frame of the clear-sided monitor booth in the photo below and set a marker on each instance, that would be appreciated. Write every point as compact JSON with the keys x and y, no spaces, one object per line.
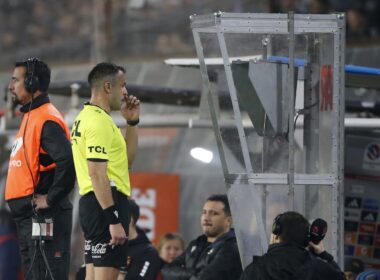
{"x":289,"y":24}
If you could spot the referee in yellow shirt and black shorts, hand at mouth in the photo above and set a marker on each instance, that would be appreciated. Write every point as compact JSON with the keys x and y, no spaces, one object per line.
{"x":101,"y":160}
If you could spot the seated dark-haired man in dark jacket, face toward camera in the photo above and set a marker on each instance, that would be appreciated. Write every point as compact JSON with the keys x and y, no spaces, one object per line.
{"x":213,"y":255}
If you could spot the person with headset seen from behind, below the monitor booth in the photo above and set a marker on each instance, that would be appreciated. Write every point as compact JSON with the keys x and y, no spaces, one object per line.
{"x":287,"y":257}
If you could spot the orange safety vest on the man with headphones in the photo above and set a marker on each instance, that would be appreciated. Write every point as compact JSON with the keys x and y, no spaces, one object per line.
{"x":24,"y":166}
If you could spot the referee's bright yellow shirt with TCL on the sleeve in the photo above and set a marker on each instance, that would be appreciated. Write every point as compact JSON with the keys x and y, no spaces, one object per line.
{"x":96,"y":137}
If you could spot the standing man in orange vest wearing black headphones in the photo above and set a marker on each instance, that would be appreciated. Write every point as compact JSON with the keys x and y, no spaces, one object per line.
{"x":41,"y":175}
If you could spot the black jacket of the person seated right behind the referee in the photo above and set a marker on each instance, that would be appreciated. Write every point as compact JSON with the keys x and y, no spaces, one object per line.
{"x":143,"y":259}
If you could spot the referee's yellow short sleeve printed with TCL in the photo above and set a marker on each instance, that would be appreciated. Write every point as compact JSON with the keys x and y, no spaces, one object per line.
{"x":99,"y":136}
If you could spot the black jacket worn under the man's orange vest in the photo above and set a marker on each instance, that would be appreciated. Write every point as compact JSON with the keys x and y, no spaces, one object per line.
{"x":58,"y":182}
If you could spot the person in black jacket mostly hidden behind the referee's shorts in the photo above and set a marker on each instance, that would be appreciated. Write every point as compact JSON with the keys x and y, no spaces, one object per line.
{"x":143,"y":262}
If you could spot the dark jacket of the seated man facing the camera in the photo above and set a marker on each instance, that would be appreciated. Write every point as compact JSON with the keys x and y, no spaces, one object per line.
{"x":207,"y":261}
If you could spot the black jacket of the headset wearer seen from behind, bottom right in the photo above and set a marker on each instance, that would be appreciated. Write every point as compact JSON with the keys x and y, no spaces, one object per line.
{"x":286,"y":261}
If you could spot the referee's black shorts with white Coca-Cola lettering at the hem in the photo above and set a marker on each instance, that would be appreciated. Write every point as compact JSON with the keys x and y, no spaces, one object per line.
{"x":96,"y":230}
